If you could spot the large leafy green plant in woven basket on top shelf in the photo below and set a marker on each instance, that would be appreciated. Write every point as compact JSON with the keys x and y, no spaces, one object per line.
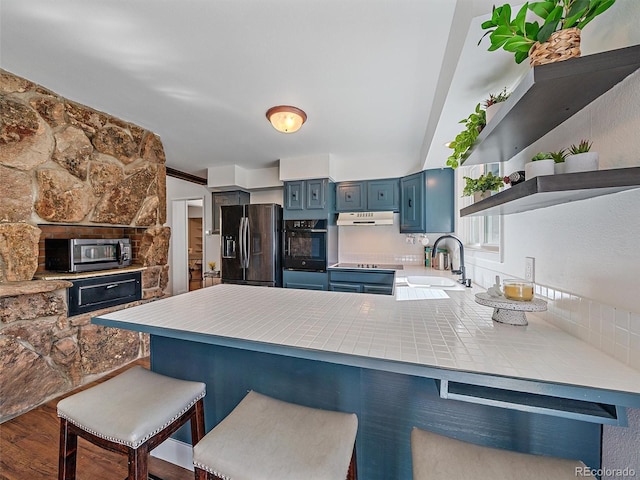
{"x":556,"y":38}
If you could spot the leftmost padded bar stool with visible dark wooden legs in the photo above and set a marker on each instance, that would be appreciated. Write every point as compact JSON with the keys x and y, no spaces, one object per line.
{"x":131,"y":413}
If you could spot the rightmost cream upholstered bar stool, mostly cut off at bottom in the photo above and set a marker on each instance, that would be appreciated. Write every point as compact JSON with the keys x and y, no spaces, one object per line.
{"x":436,"y":457}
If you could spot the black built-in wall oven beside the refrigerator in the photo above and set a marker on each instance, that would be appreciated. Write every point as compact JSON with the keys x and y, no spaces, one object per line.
{"x":306,"y":245}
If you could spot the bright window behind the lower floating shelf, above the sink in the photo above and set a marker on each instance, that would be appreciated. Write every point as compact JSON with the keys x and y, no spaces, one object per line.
{"x":480,"y":232}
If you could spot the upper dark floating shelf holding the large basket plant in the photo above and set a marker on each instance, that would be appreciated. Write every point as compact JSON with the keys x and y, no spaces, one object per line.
{"x":546,"y":97}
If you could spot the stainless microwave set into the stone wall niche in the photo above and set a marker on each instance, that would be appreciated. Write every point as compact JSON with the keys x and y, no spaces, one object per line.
{"x":86,"y":254}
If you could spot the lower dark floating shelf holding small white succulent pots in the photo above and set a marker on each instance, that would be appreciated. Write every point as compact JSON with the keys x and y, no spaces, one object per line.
{"x":550,"y":190}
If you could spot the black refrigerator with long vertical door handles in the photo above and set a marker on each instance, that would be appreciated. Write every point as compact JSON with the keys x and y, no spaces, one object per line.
{"x":251,"y":246}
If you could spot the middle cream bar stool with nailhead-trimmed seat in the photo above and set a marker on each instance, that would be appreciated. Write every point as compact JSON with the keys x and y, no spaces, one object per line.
{"x":264,"y":438}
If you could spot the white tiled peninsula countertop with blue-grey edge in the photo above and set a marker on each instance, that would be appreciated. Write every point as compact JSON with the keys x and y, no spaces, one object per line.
{"x":453,"y":334}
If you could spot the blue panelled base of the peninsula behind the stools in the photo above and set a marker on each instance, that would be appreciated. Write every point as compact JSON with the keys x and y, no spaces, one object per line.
{"x":388,"y":404}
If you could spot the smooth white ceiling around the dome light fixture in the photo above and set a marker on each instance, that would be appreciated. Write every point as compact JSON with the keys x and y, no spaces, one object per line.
{"x":372,"y":75}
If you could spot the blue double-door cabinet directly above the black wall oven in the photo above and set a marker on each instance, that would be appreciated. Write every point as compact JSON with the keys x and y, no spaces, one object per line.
{"x":308,"y":199}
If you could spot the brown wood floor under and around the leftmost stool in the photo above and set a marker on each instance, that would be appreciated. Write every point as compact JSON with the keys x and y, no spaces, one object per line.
{"x":29,"y":449}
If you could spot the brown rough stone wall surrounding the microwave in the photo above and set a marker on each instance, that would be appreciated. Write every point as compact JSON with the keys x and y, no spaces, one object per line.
{"x":67,"y":170}
